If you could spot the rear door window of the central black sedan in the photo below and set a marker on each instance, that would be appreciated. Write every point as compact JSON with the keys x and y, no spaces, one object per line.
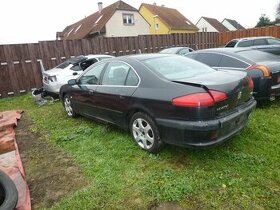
{"x":115,"y":74}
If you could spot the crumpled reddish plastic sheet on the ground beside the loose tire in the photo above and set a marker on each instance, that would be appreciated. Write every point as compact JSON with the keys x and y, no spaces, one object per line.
{"x":10,"y":161}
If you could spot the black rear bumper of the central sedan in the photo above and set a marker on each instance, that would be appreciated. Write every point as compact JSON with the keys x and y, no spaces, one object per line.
{"x":204,"y":133}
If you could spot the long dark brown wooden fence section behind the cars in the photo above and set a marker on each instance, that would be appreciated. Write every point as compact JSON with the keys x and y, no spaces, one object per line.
{"x":20,"y":63}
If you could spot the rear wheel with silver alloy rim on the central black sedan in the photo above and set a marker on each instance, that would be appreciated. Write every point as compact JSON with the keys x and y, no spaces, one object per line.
{"x":145,"y":133}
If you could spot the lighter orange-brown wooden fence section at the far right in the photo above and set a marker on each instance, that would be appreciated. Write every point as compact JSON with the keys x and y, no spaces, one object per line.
{"x":225,"y":37}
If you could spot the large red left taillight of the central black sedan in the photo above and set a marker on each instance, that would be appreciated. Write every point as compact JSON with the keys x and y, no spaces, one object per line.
{"x":200,"y":99}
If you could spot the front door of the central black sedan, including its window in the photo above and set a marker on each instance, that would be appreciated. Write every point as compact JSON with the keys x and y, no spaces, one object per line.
{"x":83,"y":96}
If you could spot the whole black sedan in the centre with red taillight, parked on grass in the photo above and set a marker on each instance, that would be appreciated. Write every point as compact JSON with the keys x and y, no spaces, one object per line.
{"x":163,"y":98}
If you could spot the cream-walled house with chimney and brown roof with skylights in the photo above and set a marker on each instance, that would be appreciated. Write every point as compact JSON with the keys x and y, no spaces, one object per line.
{"x":116,"y":20}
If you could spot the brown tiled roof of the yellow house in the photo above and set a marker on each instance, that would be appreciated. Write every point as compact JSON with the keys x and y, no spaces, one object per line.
{"x":171,"y":17}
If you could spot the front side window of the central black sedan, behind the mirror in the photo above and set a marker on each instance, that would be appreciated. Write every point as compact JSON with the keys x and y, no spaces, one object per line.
{"x":92,"y":75}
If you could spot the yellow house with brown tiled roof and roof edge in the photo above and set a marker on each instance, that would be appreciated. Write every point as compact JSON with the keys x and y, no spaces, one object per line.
{"x":164,"y":20}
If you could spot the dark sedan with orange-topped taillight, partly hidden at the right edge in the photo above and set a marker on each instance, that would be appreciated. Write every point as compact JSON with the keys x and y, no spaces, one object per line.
{"x":262,"y":67}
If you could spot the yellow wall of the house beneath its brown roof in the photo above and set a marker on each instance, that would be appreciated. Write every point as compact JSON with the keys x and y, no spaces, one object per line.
{"x":163,"y":28}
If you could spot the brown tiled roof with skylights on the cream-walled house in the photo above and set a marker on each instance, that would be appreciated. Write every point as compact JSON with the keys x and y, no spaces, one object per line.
{"x":94,"y":23}
